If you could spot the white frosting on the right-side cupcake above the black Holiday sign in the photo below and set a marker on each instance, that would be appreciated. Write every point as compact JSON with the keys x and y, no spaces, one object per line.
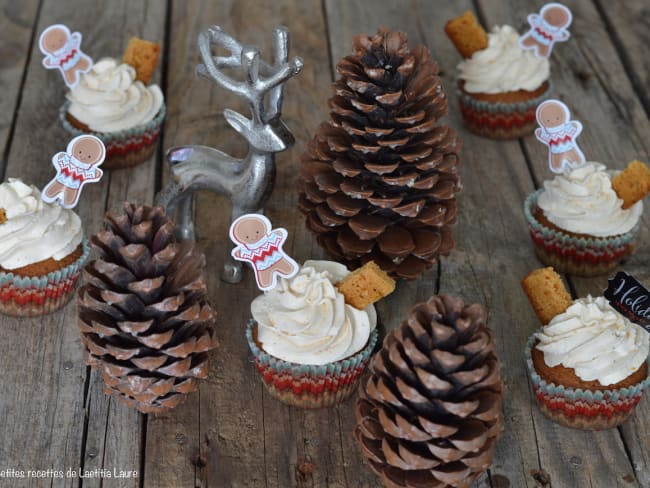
{"x":583,"y":201}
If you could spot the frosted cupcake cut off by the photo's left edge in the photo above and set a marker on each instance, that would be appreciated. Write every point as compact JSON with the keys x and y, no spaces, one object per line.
{"x":42,"y":249}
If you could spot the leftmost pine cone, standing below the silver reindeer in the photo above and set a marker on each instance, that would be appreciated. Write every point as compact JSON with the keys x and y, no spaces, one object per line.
{"x":145,"y":320}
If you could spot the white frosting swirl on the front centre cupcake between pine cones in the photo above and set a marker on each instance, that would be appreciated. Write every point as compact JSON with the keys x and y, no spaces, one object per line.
{"x":305,"y":319}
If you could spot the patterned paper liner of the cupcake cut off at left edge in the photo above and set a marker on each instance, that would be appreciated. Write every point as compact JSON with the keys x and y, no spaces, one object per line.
{"x":29,"y":296}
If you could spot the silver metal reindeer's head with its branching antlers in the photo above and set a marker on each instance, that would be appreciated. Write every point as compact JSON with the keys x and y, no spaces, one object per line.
{"x":265,"y":130}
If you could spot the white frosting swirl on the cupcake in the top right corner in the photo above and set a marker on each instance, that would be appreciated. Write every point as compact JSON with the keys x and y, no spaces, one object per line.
{"x":503,"y":66}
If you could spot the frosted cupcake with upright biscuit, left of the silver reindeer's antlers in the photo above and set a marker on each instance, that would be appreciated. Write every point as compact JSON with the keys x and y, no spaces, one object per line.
{"x":113,"y":102}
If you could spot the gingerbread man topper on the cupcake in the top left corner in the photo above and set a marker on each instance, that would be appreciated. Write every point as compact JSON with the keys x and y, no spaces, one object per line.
{"x":62,"y":50}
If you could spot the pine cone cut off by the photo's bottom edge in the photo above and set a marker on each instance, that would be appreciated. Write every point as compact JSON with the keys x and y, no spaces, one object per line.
{"x":430,"y":413}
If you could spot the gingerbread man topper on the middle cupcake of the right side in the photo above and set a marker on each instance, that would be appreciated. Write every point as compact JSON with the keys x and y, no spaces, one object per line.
{"x":559,"y":133}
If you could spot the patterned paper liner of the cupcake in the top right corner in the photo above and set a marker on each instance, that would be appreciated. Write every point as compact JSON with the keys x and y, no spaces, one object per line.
{"x":500,"y":120}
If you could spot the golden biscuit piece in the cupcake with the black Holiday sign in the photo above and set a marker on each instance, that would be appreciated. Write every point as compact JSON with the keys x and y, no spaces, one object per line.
{"x":547,"y":293}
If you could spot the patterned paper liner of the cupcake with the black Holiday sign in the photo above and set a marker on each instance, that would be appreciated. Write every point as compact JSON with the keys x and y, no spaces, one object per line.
{"x":583,"y":409}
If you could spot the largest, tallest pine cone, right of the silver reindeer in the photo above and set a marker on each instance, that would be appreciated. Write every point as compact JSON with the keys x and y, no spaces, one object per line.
{"x":378,"y":180}
